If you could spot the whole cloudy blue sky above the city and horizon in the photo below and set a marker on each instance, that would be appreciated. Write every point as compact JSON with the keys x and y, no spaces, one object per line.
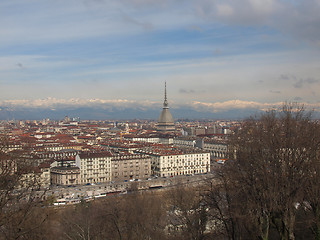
{"x":214,"y":55}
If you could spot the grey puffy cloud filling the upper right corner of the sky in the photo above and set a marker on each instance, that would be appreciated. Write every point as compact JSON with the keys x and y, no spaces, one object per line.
{"x":299,"y":18}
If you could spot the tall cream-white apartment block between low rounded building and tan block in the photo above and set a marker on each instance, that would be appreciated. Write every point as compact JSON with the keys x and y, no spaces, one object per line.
{"x":94,"y":167}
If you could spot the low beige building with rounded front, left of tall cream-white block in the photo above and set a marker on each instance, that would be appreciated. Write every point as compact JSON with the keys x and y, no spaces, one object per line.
{"x":65,"y":175}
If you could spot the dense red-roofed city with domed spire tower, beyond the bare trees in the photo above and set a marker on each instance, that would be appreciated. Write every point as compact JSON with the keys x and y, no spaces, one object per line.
{"x":71,"y":151}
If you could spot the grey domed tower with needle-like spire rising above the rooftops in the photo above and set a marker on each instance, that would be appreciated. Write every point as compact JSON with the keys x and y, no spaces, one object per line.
{"x":165,"y":121}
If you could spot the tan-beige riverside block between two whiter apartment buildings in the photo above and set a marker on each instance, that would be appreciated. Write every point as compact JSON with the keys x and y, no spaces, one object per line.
{"x":131,"y":166}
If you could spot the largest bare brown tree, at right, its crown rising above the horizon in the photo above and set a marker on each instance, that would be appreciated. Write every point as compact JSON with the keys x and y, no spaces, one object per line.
{"x":267,"y":172}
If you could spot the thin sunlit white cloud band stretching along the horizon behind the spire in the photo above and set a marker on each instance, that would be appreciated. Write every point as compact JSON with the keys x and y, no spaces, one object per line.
{"x":210,"y":107}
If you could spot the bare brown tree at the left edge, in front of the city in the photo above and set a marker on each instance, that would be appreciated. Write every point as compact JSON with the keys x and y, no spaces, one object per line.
{"x":19,"y":200}
